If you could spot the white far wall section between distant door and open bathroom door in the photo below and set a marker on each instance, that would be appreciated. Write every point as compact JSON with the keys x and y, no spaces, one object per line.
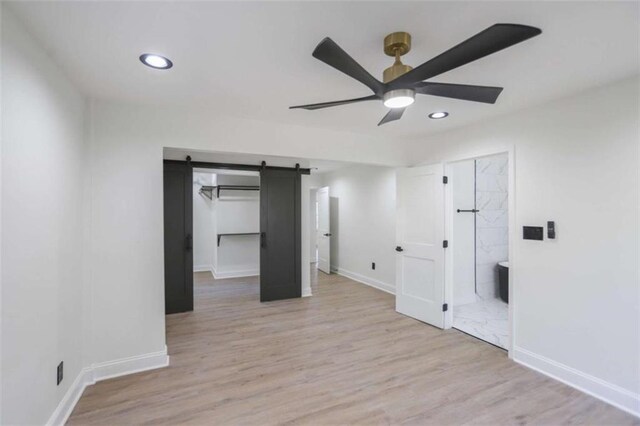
{"x":362,"y":210}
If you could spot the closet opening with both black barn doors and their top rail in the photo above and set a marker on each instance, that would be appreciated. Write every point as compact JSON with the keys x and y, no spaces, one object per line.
{"x":233,"y":225}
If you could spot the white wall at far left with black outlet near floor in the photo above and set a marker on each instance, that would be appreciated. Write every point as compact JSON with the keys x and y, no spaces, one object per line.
{"x":42,"y":185}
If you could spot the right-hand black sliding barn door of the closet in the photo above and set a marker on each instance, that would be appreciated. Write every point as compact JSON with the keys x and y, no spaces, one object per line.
{"x":280,"y":273}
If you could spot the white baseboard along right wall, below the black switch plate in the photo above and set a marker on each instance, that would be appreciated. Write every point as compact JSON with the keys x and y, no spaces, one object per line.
{"x":598,"y":388}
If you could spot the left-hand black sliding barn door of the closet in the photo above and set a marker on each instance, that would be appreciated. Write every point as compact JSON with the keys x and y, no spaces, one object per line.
{"x":178,"y":237}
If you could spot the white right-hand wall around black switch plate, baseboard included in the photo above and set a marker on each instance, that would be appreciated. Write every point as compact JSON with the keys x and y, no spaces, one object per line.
{"x":576,"y":298}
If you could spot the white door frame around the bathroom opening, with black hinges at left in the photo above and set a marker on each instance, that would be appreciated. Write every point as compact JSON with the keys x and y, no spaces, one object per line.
{"x":448,"y":223}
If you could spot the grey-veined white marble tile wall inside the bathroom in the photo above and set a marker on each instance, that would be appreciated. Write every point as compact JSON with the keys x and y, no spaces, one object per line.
{"x":492,"y":233}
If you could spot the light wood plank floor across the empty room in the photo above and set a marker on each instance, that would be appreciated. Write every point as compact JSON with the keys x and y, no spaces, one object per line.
{"x":343,"y":356}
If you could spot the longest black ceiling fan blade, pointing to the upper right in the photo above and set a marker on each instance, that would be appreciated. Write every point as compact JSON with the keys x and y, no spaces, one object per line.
{"x":491,"y":40}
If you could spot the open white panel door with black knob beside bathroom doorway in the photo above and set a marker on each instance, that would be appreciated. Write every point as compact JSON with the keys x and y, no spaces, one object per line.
{"x":420,"y":251}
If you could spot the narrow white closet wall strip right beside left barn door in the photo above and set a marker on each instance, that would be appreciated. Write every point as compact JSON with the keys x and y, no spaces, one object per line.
{"x":204,"y":224}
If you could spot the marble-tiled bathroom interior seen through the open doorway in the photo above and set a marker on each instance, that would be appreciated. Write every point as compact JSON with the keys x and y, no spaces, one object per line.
{"x":480,"y":246}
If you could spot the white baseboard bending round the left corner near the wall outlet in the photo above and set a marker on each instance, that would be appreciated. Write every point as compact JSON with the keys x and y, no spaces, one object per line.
{"x":103,"y":371}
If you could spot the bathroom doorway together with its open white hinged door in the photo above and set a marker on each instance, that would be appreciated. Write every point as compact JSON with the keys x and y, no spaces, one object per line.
{"x":453,"y":263}
